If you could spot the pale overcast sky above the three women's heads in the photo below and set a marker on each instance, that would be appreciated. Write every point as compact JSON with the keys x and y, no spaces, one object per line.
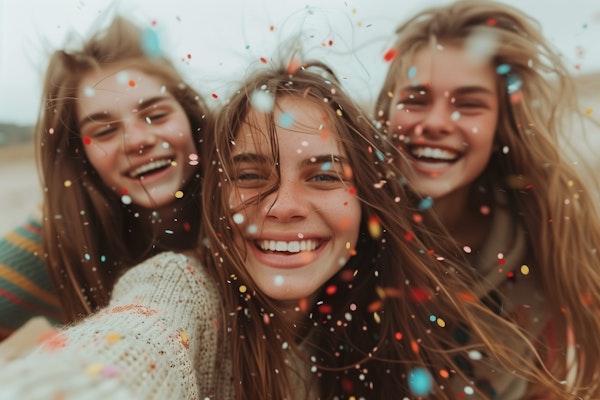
{"x":214,"y":41}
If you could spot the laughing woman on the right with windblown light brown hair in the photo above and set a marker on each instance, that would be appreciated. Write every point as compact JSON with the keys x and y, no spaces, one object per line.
{"x":476,"y":100}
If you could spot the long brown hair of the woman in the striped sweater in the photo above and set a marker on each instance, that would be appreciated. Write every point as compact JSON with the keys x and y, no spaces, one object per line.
{"x":89,"y":235}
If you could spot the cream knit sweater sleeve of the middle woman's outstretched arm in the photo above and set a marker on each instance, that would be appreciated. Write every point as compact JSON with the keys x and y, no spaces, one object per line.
{"x":161,"y":337}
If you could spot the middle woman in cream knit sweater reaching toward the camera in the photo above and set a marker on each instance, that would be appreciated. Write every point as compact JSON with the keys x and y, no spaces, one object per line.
{"x":306,"y":228}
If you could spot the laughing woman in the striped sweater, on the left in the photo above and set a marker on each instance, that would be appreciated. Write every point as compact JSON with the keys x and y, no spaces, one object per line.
{"x":117,"y":144}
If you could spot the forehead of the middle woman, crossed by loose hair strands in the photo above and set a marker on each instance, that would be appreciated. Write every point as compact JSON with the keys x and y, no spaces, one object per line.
{"x":297,"y":122}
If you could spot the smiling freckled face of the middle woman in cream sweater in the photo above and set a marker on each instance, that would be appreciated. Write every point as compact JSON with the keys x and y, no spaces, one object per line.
{"x":299,"y":236}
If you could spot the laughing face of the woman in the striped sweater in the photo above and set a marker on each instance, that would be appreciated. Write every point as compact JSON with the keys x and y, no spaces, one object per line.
{"x":135,"y":134}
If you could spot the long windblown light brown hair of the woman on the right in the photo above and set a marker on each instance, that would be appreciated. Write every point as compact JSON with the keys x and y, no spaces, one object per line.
{"x":551,"y":200}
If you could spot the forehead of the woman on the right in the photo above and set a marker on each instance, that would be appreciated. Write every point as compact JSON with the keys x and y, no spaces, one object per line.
{"x":447,"y":68}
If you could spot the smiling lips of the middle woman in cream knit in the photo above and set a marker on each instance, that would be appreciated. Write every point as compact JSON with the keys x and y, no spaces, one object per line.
{"x":284,"y":259}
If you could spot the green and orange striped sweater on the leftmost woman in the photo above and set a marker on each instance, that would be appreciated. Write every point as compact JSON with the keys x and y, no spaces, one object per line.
{"x":26,"y":289}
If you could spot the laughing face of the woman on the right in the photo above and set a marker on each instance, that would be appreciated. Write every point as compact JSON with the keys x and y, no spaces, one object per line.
{"x":445,"y":113}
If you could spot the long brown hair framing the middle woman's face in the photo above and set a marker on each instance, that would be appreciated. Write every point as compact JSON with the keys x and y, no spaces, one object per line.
{"x":342,"y":329}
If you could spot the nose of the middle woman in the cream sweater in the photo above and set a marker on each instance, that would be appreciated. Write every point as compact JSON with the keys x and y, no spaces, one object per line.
{"x":287,"y":203}
